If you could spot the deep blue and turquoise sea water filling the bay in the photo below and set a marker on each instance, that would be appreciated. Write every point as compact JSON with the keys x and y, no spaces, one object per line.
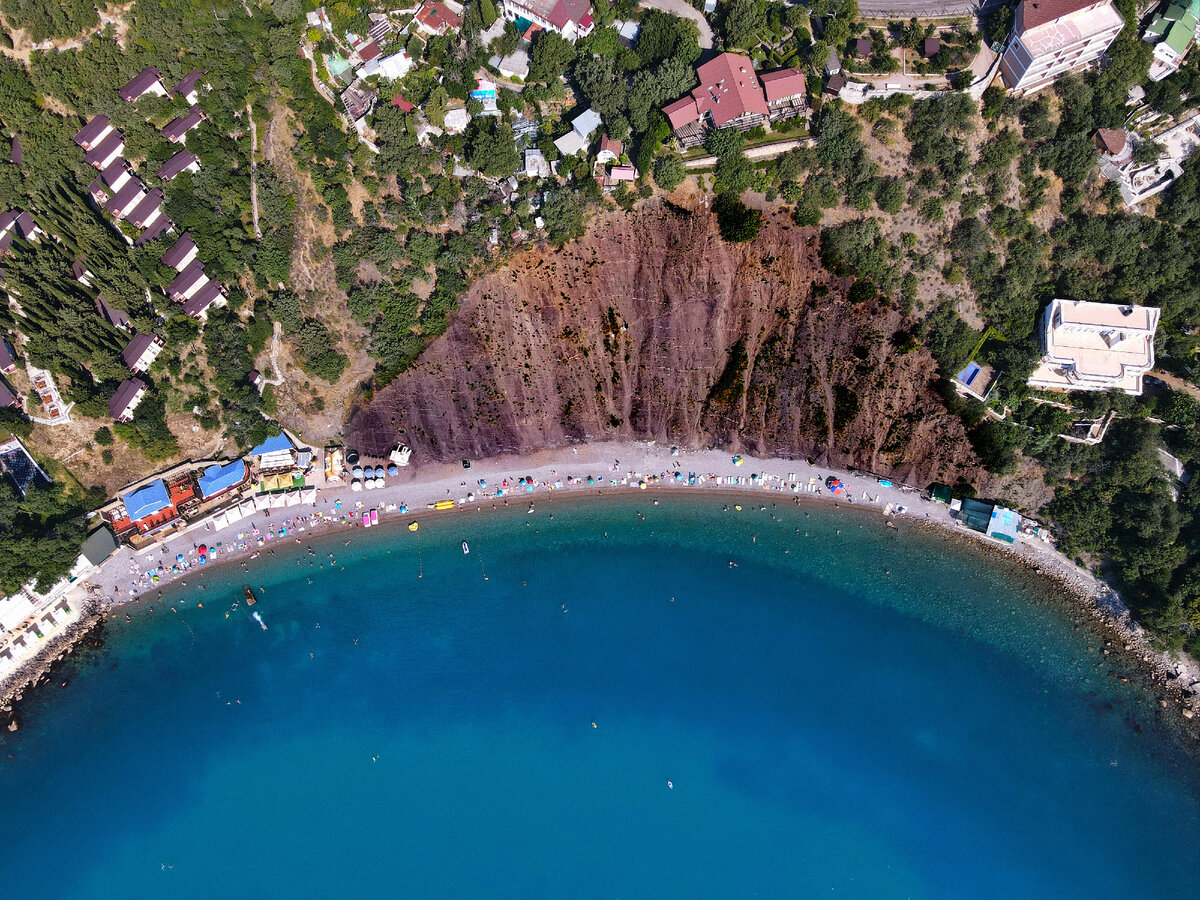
{"x":867,"y":715}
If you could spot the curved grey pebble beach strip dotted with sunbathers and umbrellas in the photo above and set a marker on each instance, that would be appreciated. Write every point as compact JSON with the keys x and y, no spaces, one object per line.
{"x":585,"y":471}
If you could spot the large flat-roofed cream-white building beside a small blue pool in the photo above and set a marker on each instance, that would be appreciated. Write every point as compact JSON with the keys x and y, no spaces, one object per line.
{"x":1096,"y":347}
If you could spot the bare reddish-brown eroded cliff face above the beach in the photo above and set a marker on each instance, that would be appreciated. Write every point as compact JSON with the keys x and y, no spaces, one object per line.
{"x":653,"y":328}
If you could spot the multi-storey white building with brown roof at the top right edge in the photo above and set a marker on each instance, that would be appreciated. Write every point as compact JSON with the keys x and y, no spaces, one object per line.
{"x":1052,"y":38}
